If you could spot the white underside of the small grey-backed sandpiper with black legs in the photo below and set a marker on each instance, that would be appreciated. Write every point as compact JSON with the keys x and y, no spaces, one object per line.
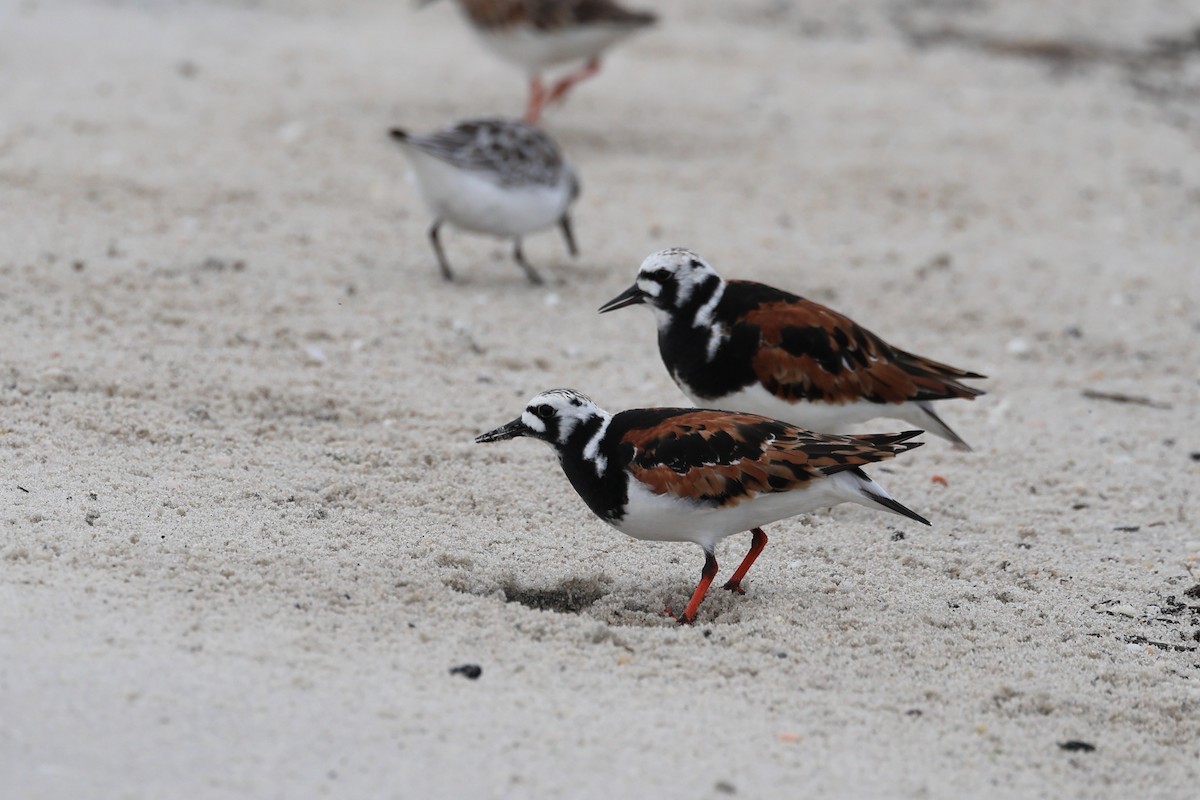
{"x":471,"y":202}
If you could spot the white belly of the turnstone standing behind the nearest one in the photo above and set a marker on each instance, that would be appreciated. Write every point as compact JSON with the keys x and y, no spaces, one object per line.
{"x":823,"y":418}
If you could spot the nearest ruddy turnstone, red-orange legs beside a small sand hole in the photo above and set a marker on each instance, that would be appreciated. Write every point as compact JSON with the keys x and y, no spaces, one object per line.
{"x":692,"y":476}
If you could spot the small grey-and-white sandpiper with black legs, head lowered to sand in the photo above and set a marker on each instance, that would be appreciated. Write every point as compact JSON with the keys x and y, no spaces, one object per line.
{"x":496,"y":177}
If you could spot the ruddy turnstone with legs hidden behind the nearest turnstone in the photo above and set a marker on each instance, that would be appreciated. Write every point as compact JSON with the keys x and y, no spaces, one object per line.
{"x":746,"y":346}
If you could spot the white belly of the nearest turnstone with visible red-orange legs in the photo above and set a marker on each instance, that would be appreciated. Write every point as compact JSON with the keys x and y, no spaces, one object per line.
{"x":665,"y":519}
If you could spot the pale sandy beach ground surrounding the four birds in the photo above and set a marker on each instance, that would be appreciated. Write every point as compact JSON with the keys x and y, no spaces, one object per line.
{"x":247,"y":533}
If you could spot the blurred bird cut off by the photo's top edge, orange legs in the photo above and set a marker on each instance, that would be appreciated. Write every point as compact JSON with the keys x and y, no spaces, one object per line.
{"x":539,"y":34}
